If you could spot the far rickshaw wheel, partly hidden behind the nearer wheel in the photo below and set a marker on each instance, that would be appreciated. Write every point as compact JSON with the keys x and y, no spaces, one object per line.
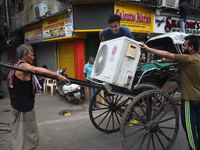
{"x":107,"y":116}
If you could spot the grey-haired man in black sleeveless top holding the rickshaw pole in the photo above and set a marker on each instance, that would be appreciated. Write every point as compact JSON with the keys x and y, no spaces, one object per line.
{"x":22,"y":88}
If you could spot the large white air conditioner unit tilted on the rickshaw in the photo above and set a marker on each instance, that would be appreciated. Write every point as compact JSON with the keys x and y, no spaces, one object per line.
{"x":116,"y":62}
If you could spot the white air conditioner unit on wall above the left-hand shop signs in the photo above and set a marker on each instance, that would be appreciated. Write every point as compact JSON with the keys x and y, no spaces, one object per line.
{"x":41,"y":10}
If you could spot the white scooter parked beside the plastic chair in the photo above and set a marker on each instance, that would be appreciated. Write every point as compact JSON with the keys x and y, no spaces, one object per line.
{"x":70,"y":91}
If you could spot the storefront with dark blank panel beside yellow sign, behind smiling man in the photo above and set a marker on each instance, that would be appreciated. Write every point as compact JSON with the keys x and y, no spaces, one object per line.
{"x":92,"y":18}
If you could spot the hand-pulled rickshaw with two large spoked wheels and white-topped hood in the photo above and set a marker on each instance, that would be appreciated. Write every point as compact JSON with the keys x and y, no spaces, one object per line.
{"x":146,"y":114}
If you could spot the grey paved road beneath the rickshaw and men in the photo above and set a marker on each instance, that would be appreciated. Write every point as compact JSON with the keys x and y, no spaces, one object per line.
{"x":73,"y":132}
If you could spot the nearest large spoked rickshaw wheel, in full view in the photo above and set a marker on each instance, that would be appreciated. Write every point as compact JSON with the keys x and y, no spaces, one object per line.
{"x":151,"y":121}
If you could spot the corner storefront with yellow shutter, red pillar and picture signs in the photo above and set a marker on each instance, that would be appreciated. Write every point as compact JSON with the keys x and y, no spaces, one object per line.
{"x":56,"y":46}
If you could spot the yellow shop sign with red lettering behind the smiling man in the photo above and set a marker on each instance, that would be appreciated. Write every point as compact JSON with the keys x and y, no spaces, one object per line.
{"x":136,"y":17}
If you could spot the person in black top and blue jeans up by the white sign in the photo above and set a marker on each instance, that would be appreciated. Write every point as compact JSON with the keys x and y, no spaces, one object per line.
{"x":183,"y":10}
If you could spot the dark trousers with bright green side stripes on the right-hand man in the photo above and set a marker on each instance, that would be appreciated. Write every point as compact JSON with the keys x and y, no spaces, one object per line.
{"x":190,"y":117}
